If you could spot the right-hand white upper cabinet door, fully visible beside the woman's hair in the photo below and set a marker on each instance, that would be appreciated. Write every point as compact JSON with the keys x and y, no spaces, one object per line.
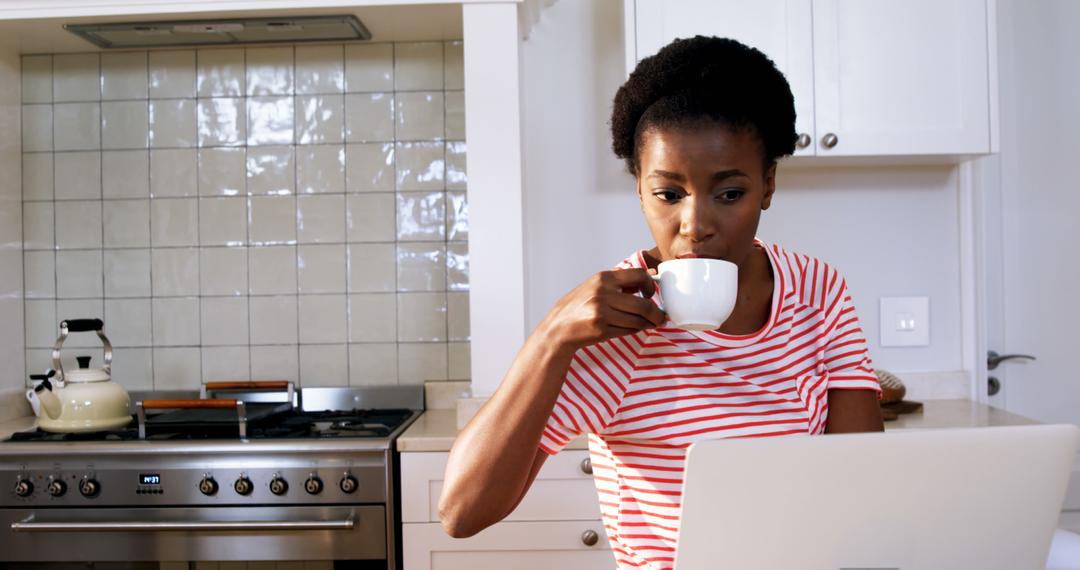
{"x":901,"y":77}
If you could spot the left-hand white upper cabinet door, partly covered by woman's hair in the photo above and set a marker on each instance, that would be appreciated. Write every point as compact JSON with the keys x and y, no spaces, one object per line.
{"x":779,"y":29}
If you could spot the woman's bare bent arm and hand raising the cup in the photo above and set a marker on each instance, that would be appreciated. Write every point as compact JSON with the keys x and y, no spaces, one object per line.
{"x":497,"y":455}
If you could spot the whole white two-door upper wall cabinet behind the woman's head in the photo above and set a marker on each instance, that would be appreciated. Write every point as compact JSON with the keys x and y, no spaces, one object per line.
{"x":888,"y":78}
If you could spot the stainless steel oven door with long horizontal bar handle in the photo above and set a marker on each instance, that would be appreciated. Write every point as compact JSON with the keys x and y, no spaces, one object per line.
{"x":202,"y":534}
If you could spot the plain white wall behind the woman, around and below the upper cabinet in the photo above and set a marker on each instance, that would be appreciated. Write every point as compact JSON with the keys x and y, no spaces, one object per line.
{"x":893,"y":232}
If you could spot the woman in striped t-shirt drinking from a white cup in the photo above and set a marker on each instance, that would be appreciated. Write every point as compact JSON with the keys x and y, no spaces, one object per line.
{"x":701,"y":126}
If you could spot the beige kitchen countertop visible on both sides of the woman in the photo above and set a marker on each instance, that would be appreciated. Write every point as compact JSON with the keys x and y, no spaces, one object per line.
{"x":436,"y":430}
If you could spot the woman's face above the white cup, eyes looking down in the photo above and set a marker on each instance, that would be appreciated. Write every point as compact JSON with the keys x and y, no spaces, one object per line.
{"x":703,"y":191}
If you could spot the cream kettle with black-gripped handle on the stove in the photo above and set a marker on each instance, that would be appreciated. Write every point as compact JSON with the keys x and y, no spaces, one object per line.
{"x":85,"y":400}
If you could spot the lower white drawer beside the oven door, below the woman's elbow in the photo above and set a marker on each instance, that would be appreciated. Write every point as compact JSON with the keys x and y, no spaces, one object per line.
{"x":508,"y":546}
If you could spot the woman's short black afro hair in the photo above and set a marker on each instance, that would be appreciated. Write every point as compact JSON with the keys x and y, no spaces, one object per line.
{"x":705,"y":78}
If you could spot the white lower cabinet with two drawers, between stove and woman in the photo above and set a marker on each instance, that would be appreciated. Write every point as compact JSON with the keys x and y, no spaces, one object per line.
{"x":558,"y":525}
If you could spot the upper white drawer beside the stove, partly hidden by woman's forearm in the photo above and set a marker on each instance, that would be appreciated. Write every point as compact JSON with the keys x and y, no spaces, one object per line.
{"x":562,"y":492}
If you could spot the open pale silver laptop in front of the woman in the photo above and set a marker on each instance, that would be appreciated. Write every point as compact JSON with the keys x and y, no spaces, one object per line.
{"x":958,"y":499}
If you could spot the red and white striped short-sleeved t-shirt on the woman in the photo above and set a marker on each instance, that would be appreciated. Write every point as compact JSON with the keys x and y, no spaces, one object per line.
{"x":644,"y":399}
